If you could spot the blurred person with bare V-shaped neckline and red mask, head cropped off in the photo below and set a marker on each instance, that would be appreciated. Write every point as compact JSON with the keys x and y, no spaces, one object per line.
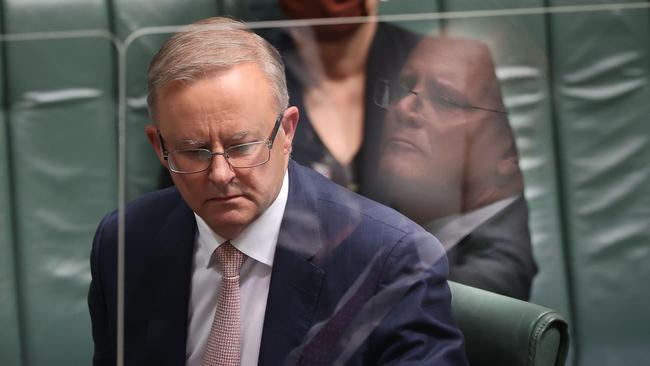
{"x":331,"y":73}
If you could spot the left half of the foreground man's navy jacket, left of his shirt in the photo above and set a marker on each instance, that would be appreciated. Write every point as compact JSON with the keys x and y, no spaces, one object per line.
{"x":159,"y":239}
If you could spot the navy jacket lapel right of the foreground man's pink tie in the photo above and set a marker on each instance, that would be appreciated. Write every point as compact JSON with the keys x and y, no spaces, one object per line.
{"x":295,"y":280}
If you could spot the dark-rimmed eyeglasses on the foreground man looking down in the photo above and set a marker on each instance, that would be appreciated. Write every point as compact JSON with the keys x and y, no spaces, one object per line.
{"x":248,"y":155}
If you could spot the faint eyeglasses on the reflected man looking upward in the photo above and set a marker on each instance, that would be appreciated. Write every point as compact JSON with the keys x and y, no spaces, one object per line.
{"x":386,"y":93}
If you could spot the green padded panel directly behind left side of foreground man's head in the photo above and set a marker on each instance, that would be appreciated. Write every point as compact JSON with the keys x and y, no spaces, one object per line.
{"x":142,"y":166}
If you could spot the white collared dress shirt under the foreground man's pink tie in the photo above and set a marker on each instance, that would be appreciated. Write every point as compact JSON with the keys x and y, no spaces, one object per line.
{"x":258,"y":242}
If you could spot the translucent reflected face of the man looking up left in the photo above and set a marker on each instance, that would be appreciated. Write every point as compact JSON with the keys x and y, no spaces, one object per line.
{"x":427,"y":137}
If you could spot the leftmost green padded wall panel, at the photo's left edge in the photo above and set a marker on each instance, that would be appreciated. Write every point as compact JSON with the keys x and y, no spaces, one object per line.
{"x":62,"y":116}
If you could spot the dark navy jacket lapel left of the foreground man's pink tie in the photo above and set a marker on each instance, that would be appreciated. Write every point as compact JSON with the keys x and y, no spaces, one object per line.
{"x":171,"y":268}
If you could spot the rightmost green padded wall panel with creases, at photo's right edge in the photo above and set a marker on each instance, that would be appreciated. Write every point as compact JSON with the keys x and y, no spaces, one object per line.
{"x":601,"y":88}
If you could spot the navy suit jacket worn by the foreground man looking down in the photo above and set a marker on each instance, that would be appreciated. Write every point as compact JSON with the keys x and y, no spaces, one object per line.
{"x":353,"y":282}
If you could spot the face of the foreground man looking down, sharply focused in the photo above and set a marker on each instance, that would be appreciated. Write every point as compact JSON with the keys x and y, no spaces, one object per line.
{"x":223,"y":109}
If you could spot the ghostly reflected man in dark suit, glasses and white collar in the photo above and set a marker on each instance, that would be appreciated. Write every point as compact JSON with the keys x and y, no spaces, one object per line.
{"x":450,"y":162}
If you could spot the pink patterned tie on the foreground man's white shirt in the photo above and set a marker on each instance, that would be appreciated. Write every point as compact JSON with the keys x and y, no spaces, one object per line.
{"x":224,"y":342}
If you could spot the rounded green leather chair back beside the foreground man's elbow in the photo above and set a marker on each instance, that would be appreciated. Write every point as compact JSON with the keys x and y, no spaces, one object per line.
{"x":500,"y":330}
